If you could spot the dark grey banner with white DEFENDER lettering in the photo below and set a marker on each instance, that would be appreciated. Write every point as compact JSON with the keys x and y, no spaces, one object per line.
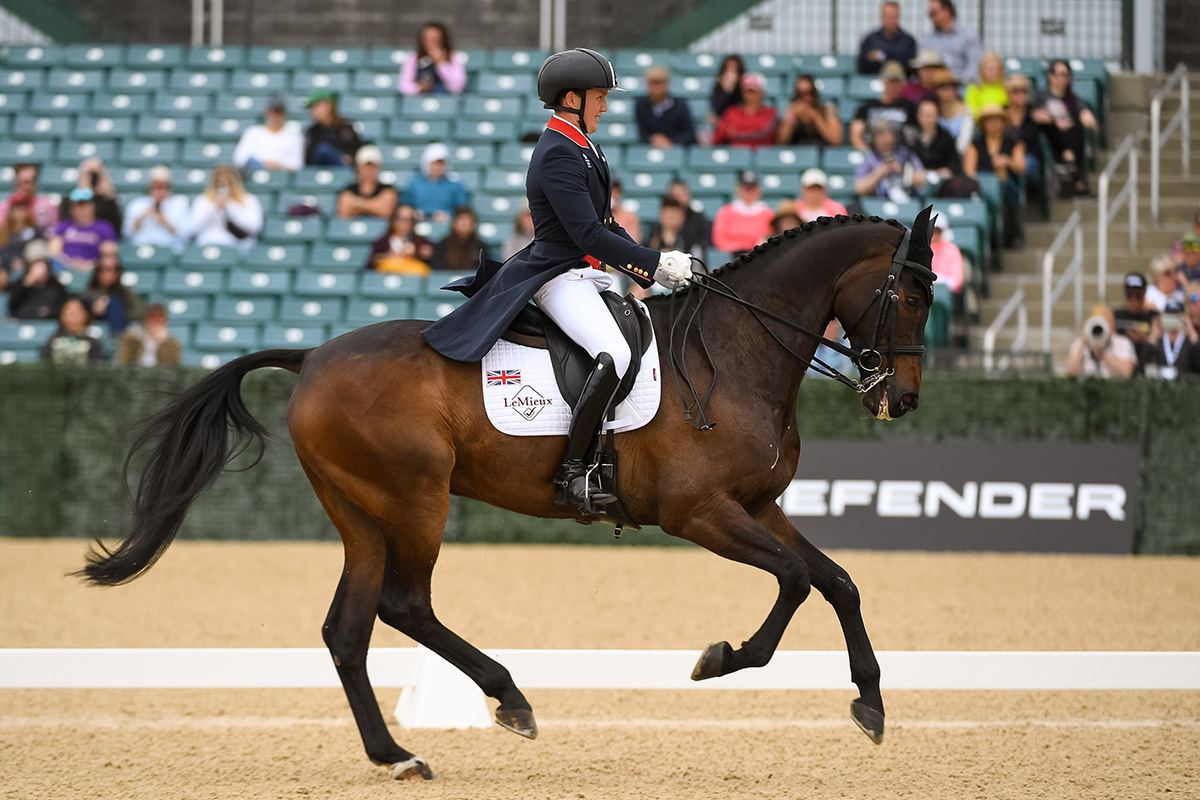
{"x":1031,"y":497}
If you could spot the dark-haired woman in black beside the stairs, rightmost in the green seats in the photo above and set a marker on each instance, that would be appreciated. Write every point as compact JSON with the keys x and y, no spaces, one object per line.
{"x":1064,"y":118}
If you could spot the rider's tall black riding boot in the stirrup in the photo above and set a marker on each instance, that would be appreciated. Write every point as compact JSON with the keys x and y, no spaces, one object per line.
{"x":572,"y":483}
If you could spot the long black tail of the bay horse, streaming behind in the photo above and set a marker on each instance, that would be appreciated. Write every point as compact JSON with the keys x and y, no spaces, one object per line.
{"x":189,"y":448}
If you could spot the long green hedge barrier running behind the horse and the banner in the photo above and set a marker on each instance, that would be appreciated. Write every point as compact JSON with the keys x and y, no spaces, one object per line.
{"x":67,"y":431}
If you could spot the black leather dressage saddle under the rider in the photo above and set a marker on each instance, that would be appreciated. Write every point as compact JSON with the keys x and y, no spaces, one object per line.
{"x":533,"y":328}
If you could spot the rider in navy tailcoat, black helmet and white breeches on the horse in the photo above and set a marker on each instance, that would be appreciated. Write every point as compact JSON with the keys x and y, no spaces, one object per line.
{"x":565,"y":269}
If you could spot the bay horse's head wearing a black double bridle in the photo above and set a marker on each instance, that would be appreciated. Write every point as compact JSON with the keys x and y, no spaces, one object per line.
{"x":884,"y":304}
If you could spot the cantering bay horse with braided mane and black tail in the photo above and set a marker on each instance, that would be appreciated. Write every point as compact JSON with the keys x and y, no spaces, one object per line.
{"x":387,"y":430}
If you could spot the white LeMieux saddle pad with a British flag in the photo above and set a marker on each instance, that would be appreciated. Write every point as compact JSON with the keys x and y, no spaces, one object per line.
{"x":523,"y":398}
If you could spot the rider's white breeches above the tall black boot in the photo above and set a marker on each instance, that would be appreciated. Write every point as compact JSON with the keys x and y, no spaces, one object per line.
{"x":573,"y":302}
